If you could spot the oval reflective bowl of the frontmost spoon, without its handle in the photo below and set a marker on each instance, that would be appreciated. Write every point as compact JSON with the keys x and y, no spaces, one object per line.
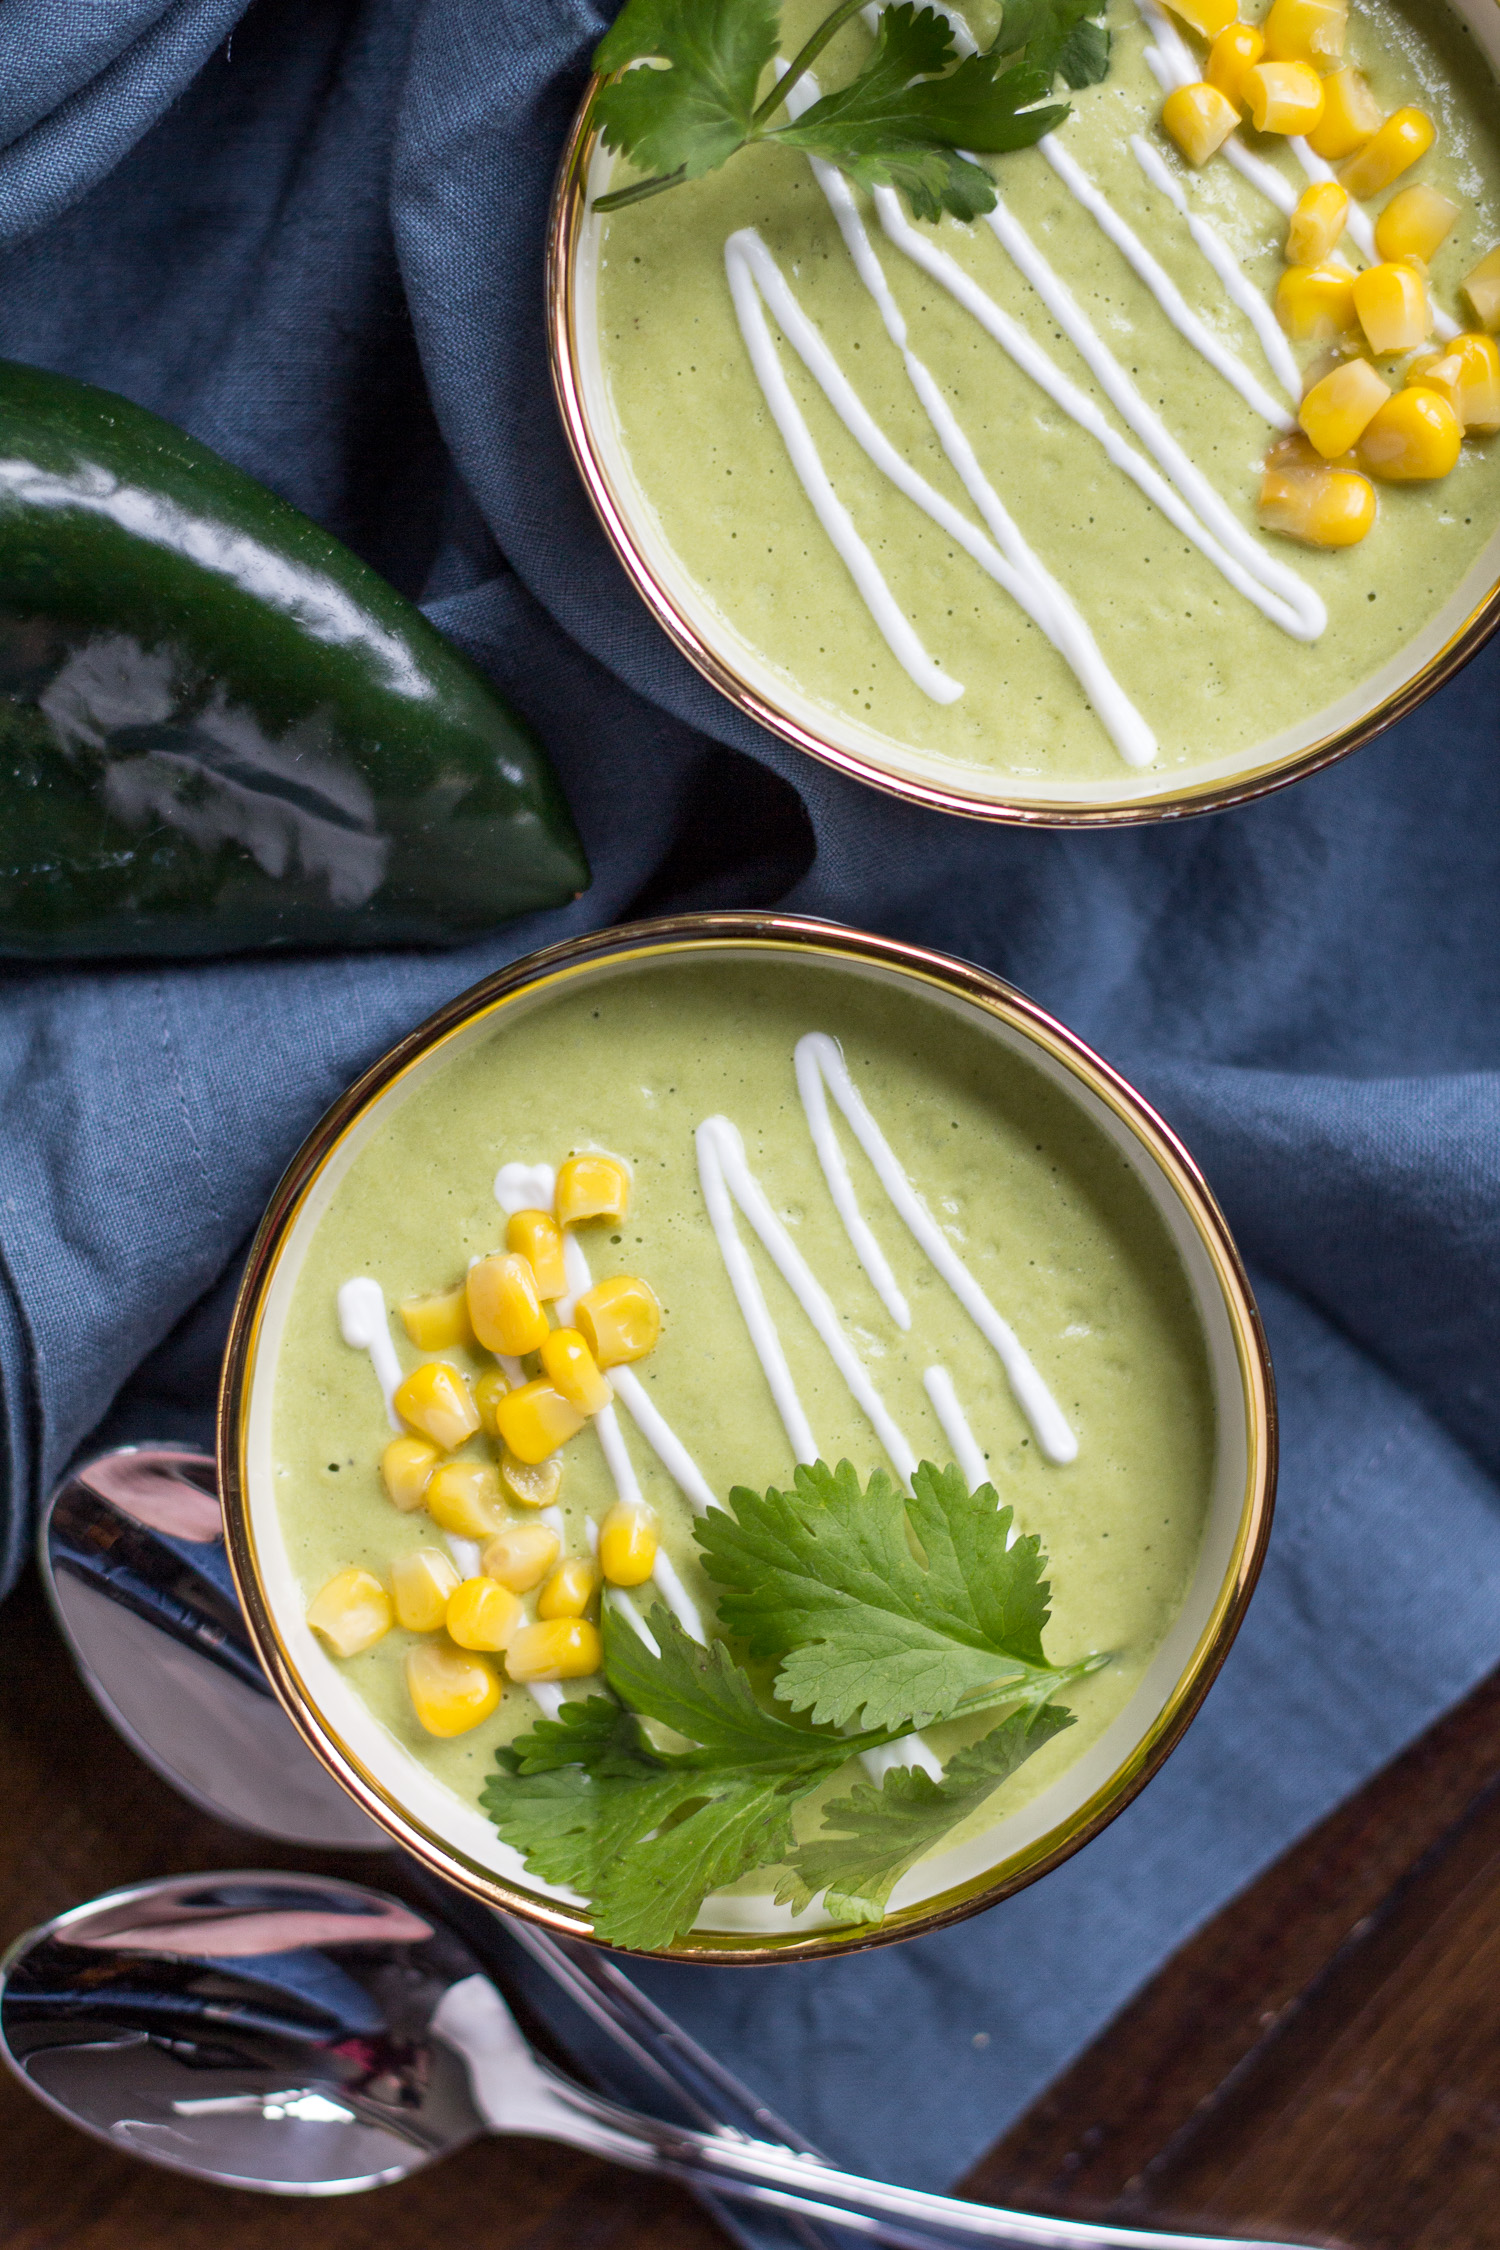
{"x":244,"y":2028}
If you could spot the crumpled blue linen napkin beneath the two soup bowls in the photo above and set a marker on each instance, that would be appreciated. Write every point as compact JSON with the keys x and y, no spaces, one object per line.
{"x":323,"y":255}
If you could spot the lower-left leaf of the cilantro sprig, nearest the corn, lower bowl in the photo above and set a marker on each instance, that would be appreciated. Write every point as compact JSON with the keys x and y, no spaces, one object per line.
{"x":649,"y":1835}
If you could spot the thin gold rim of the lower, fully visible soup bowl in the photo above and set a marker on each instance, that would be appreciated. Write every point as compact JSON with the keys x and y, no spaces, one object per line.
{"x":968,"y":982}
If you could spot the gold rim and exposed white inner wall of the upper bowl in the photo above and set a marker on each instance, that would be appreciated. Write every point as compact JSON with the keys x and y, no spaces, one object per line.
{"x":766,"y":694}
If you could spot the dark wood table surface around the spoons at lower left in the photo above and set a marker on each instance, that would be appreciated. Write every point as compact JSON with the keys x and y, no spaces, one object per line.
{"x":82,"y":1815}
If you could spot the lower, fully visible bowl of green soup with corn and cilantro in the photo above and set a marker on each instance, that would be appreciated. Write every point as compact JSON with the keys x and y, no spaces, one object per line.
{"x":743,"y":1439}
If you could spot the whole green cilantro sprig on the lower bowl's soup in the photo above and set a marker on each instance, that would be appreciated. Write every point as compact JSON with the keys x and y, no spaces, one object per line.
{"x":687,"y":1776}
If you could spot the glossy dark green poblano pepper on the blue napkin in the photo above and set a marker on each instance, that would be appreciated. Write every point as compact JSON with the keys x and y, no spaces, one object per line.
{"x":219,"y":730}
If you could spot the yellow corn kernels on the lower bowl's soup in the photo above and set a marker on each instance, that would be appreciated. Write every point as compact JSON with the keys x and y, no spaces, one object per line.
{"x":482,"y":1621}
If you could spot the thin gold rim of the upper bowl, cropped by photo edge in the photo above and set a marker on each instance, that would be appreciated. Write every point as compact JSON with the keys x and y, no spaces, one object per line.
{"x":563,"y":233}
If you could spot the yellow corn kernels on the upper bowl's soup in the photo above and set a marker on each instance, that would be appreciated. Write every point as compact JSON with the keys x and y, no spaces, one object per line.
{"x":1355,"y":424}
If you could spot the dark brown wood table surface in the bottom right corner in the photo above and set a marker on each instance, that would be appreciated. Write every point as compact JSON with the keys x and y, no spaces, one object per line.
{"x":1323,"y":2060}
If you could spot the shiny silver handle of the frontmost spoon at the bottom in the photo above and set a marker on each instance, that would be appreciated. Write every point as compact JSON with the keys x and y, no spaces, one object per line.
{"x":518,"y":2094}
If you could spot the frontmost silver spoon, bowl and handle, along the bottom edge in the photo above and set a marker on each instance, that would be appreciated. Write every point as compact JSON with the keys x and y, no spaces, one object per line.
{"x":309,"y":2037}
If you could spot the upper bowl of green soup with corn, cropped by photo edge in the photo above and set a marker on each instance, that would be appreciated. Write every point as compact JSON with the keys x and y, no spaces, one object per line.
{"x":1150,"y":489}
